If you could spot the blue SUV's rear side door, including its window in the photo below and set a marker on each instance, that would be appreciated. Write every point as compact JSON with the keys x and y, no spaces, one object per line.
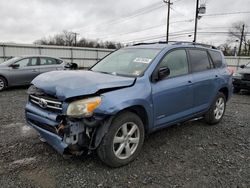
{"x":204,"y":77}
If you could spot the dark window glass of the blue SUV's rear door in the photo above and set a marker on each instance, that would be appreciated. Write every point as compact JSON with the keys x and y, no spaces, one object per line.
{"x":199,"y":60}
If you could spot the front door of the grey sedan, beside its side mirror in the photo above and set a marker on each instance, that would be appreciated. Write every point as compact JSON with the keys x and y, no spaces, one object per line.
{"x":28,"y":69}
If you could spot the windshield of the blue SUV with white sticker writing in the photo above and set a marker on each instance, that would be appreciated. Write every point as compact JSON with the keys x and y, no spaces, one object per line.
{"x":126,"y":62}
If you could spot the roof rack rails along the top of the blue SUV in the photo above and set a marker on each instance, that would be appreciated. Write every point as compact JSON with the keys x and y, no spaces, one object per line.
{"x":178,"y":43}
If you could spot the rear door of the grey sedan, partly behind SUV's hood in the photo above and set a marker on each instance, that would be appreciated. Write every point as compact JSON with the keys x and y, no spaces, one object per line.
{"x":50,"y":64}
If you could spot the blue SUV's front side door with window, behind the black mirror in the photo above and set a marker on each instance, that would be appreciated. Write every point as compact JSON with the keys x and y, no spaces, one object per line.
{"x":173,"y":96}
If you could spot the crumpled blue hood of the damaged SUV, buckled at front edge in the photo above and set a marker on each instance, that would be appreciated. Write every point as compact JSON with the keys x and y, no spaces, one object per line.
{"x":68,"y":84}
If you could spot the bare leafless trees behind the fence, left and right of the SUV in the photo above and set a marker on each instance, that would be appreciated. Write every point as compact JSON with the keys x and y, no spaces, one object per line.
{"x":237,"y":44}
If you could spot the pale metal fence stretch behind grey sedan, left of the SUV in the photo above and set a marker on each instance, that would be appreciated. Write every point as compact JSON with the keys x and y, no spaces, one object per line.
{"x":84,"y":57}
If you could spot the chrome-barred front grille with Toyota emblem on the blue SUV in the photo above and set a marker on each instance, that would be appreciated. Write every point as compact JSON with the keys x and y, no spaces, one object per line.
{"x":44,"y":103}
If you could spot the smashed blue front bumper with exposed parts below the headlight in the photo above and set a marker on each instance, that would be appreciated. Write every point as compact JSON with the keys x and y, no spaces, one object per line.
{"x":67,"y":136}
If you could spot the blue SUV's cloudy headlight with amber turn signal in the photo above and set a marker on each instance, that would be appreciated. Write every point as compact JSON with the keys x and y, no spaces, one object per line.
{"x":83,"y":107}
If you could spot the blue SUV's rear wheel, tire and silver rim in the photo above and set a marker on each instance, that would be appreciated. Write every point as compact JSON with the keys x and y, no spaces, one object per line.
{"x":217,"y":110}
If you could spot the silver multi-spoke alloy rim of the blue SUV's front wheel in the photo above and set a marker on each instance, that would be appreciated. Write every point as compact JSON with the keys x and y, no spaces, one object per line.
{"x":126,"y":140}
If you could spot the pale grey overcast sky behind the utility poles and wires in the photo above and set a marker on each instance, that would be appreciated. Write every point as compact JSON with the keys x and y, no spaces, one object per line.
{"x":28,"y":20}
